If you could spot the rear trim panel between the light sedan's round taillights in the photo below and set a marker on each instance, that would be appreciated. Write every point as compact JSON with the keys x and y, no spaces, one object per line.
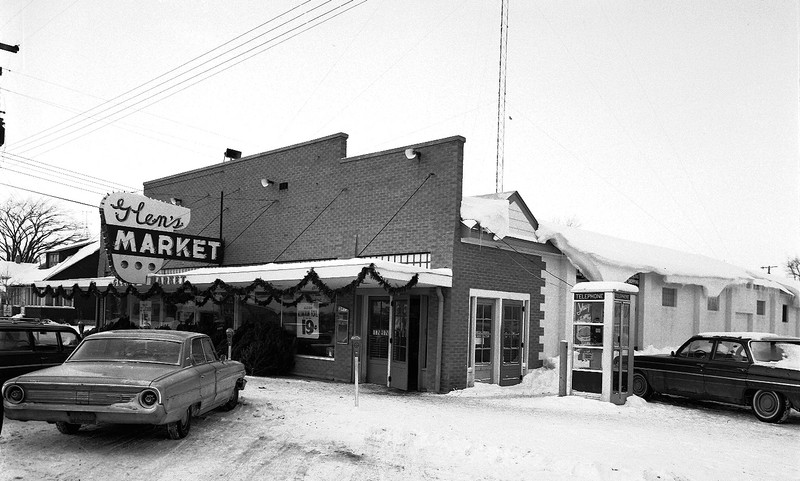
{"x":80,"y":395}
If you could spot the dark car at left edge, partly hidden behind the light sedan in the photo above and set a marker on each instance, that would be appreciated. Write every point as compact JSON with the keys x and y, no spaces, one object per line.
{"x":30,"y":344}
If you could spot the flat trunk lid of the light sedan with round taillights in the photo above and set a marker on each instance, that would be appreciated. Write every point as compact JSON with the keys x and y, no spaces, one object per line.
{"x":100,"y":373}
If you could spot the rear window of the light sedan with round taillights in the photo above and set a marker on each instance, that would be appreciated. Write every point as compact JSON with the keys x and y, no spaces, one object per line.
{"x":128,"y":350}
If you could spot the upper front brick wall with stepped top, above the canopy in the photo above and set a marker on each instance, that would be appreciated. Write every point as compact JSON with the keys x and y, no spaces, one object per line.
{"x":262,"y":225}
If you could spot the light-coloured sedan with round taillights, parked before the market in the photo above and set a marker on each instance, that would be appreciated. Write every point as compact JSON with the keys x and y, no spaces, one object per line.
{"x":157,"y":377}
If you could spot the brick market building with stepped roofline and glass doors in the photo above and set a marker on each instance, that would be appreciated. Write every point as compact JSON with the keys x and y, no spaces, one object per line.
{"x":473,"y":315}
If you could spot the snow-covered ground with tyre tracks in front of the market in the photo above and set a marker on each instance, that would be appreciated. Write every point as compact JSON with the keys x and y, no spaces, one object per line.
{"x":291,"y":428}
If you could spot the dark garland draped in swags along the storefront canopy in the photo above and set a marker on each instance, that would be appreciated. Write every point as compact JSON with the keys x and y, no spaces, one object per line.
{"x":220,"y":292}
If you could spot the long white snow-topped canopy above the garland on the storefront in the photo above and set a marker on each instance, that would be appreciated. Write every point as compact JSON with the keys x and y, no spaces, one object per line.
{"x":335,"y":273}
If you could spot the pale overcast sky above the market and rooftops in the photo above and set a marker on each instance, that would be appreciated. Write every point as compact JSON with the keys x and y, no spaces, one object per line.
{"x":670,"y":123}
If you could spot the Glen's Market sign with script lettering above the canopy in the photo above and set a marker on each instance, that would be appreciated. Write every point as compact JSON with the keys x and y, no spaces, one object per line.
{"x":141,"y":234}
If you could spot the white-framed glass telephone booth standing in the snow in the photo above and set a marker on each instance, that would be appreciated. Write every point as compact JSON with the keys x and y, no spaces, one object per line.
{"x":600,"y":348}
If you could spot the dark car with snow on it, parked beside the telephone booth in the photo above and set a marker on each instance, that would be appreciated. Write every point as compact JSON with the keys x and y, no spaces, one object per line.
{"x":750,"y":369}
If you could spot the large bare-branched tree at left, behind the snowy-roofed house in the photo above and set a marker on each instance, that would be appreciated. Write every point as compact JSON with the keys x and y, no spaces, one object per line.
{"x":29,"y":228}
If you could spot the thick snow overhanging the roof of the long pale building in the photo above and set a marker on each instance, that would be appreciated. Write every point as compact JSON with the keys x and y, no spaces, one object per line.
{"x":604,"y":258}
